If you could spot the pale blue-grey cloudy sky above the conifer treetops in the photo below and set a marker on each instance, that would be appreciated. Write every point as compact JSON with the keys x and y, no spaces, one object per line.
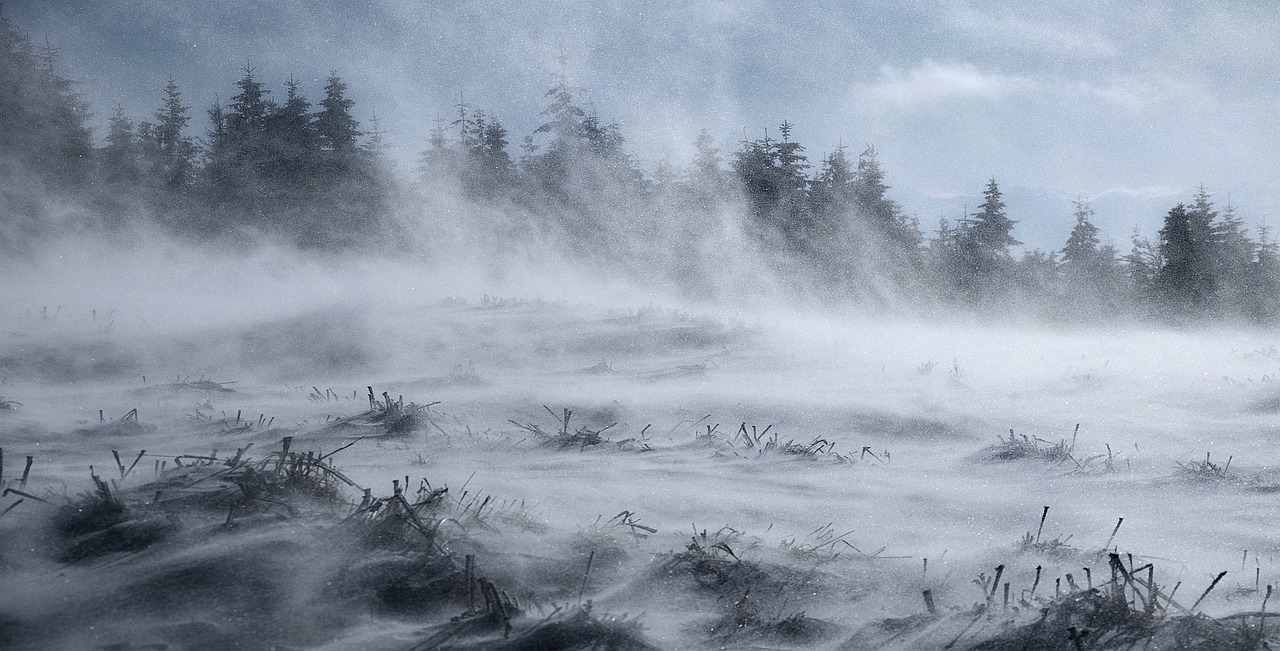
{"x":1130,"y":104}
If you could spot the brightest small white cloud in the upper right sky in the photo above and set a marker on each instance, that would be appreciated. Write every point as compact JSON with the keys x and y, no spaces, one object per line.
{"x":932,"y":82}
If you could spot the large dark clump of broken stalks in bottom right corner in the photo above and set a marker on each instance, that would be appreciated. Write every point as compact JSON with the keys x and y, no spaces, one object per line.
{"x":1131,"y":611}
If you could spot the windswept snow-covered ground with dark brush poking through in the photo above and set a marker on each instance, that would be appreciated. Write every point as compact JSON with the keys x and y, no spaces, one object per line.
{"x":726,"y":478}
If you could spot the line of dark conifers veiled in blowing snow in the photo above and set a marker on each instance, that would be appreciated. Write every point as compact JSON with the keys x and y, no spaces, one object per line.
{"x":272,"y":163}
